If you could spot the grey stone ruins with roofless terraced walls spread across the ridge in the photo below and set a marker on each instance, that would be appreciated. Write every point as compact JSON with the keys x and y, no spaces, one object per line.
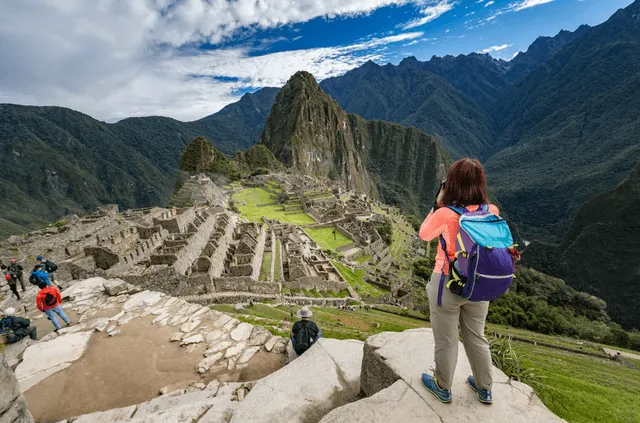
{"x":204,"y":249}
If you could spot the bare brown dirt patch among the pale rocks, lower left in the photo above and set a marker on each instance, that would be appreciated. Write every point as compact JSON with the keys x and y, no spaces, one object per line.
{"x":127,"y":369}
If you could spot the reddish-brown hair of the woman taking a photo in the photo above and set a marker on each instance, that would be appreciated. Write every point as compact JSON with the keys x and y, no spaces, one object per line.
{"x":466,"y":184}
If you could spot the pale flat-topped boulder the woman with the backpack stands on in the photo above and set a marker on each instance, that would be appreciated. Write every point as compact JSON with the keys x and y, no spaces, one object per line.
{"x":391,"y":375}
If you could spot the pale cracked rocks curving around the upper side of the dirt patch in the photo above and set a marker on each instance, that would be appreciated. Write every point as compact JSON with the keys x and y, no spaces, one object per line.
{"x":230,"y":343}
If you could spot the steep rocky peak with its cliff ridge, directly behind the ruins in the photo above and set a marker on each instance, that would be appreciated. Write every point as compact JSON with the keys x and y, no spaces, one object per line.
{"x":309,"y":132}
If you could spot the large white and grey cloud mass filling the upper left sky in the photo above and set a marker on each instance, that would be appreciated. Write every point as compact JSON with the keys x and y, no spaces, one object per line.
{"x":117,"y":58}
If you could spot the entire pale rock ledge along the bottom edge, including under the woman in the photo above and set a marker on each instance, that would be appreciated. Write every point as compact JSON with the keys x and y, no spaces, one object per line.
{"x":325,"y":385}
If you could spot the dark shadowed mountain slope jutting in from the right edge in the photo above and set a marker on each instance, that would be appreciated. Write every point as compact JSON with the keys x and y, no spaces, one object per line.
{"x":599,"y":252}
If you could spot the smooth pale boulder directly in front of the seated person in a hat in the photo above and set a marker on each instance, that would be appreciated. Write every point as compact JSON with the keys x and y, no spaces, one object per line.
{"x":323,"y":378}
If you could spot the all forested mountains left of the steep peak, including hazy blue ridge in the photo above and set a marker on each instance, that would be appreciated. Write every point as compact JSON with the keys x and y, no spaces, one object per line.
{"x":59,"y":161}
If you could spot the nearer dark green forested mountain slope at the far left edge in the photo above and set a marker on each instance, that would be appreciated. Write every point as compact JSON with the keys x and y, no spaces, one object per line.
{"x":57,"y":161}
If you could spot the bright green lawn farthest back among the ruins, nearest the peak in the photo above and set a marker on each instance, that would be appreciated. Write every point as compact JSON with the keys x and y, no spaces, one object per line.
{"x":248,"y":200}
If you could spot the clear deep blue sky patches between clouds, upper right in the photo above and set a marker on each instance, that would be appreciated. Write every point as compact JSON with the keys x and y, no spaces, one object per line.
{"x":461,"y":30}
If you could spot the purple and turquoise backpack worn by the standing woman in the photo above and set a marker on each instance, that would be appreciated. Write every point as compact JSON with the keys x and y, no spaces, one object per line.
{"x":484,"y":264}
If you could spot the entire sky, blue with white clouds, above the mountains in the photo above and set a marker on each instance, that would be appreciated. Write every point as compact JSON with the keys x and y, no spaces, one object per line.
{"x":189,"y":58}
